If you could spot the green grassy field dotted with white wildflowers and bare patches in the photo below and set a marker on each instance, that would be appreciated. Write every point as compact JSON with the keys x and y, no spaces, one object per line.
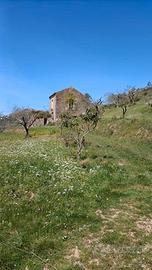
{"x":93,"y":215}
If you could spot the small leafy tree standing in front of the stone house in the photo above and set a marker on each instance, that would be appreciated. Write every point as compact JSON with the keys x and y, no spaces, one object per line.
{"x":76,"y":128}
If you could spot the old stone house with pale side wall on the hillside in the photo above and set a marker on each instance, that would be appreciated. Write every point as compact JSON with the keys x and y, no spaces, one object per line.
{"x":68,"y":99}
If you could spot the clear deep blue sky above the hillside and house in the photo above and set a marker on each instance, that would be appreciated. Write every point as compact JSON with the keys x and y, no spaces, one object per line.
{"x":96,"y":46}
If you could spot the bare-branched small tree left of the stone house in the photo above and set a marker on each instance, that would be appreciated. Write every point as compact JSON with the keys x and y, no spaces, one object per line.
{"x":25,"y":118}
